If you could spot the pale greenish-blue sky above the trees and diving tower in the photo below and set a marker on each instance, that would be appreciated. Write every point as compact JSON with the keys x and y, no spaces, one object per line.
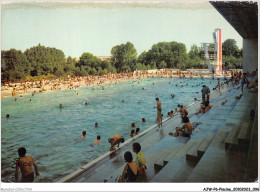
{"x":95,"y":27}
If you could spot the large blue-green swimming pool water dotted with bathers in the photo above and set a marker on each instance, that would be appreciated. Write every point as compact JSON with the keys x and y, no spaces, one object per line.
{"x":52,"y":135}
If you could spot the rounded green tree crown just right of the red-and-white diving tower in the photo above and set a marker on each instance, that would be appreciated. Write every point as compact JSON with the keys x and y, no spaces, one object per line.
{"x":230,"y":48}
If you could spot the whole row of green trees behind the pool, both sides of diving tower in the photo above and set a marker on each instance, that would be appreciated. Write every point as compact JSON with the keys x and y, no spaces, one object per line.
{"x":40,"y":61}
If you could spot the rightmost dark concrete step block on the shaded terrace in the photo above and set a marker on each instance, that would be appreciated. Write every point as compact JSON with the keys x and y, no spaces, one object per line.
{"x":244,"y":136}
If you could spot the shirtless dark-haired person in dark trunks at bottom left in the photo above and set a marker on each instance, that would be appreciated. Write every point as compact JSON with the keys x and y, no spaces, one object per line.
{"x":25,"y":164}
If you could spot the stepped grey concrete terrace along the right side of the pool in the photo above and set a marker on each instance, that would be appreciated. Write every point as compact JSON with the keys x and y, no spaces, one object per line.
{"x":223,"y":147}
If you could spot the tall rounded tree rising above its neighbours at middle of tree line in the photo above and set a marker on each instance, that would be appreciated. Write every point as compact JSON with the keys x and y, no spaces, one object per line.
{"x":124,"y":57}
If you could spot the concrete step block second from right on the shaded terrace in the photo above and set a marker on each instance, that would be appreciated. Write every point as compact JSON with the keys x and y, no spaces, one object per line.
{"x":232,"y":140}
